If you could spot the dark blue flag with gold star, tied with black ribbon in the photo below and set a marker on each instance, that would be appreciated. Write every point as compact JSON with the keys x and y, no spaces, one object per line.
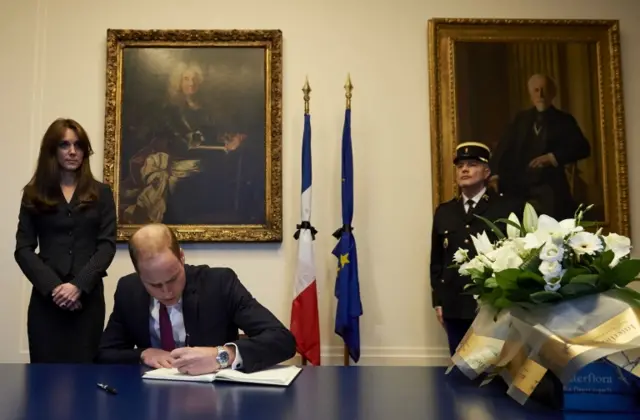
{"x":347,"y":290}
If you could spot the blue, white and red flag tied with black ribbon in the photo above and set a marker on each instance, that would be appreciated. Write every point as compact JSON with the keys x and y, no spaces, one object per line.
{"x":305,"y":324}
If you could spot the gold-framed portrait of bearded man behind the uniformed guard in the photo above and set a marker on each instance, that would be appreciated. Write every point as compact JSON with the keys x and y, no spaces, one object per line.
{"x":546,"y":97}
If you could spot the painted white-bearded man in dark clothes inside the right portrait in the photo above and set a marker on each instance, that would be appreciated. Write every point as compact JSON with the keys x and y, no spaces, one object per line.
{"x":531,"y":158}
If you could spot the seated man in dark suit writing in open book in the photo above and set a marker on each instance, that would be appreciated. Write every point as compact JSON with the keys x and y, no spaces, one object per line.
{"x":170,"y":314}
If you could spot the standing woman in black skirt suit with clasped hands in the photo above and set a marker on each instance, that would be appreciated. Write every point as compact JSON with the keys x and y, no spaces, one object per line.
{"x":72,"y":218}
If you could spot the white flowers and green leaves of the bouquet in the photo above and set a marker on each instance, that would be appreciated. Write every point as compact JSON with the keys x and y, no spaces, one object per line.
{"x":542,"y":260}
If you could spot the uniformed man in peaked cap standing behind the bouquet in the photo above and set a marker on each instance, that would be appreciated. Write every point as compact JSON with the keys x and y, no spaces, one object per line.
{"x":453,"y":224}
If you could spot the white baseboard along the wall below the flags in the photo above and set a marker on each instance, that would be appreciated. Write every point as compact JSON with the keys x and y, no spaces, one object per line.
{"x":387,"y":356}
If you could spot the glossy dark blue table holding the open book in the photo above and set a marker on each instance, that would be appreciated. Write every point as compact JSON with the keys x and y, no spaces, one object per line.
{"x":69,"y":392}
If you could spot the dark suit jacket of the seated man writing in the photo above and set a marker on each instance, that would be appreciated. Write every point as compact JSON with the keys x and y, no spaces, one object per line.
{"x":215,"y":305}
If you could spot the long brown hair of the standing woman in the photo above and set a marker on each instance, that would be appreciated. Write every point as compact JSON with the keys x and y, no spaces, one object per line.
{"x":43,"y":192}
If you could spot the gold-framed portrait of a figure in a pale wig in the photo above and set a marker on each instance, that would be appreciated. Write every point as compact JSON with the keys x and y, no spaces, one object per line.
{"x":193,"y":132}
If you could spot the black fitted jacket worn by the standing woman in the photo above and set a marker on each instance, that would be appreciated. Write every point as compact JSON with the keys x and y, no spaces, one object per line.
{"x":77,"y":243}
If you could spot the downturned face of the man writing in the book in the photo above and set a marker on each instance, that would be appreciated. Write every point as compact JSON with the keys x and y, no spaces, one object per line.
{"x":163,"y":276}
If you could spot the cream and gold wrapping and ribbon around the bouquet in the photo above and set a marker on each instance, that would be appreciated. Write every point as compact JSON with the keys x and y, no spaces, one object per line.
{"x":522,"y":345}
